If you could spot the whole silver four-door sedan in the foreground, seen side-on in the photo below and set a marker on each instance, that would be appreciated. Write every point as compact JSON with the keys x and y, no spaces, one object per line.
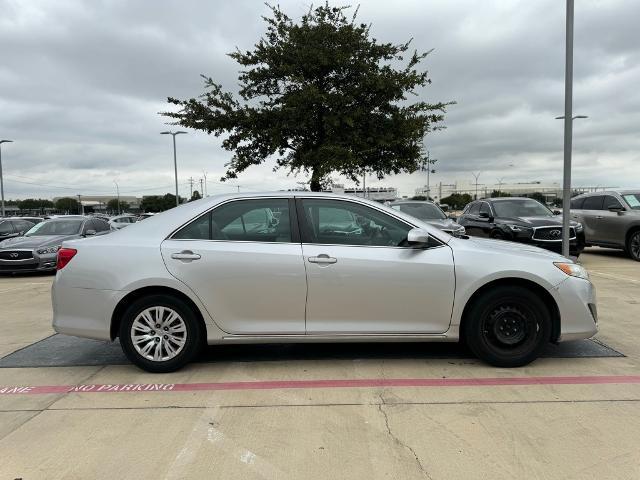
{"x":305,"y":267}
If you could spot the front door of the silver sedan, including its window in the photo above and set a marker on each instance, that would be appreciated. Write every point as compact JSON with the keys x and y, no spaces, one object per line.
{"x":363,"y":277}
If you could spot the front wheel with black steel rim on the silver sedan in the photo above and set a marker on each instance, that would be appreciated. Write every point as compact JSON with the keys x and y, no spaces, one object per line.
{"x":507,"y":327}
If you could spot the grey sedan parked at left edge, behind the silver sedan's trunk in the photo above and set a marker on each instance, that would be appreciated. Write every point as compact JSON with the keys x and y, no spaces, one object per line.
{"x":36,"y":250}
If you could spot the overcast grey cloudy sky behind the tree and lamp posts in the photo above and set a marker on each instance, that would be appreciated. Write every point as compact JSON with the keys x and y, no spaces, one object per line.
{"x":81,"y":84}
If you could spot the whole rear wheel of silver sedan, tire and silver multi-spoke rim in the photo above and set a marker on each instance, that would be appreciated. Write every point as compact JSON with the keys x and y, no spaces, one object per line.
{"x":169,"y":334}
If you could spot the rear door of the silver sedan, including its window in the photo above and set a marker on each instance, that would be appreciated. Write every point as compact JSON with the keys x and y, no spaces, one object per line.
{"x":244,"y":261}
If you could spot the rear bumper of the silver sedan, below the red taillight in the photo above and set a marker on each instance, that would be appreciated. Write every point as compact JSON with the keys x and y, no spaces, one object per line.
{"x":84,"y":312}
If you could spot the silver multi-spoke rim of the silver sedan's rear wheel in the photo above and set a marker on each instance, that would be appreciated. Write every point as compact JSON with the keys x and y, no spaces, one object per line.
{"x":158,"y":334}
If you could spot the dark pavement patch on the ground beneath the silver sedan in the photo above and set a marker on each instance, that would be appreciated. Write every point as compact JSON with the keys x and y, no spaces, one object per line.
{"x":65,"y":351}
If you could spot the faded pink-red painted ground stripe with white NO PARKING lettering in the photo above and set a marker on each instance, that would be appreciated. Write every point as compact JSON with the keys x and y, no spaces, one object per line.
{"x":326,"y":384}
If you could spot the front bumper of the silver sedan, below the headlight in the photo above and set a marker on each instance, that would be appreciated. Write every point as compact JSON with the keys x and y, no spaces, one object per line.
{"x":576,"y":299}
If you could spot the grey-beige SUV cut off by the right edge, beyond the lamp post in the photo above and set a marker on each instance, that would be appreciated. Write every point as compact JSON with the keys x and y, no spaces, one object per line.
{"x":611,"y":219}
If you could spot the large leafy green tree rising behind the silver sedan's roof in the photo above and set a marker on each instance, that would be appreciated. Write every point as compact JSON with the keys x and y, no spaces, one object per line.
{"x":319,"y":96}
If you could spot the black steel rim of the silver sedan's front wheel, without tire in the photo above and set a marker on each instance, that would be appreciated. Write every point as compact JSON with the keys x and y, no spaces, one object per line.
{"x":510,"y":328}
